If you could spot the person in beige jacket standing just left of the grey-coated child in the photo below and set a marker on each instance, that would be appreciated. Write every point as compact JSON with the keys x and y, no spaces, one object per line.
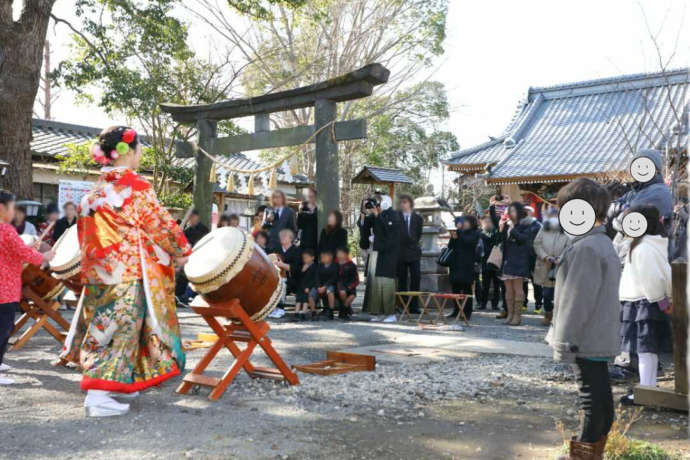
{"x":549,"y":246}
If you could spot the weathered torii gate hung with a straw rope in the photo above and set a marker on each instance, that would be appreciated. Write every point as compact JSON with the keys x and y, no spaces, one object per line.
{"x":323,"y":96}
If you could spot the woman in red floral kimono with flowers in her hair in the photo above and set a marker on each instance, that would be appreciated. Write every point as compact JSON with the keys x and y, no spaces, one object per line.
{"x":125,"y":335}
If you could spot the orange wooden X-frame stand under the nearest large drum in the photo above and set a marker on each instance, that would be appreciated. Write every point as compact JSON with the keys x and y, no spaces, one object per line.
{"x":240,"y":329}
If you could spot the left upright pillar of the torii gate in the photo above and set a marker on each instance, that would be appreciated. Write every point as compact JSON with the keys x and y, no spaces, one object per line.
{"x":203,"y":188}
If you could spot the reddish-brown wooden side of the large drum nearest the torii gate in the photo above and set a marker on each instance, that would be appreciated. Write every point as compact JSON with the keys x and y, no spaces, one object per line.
{"x":253,"y":286}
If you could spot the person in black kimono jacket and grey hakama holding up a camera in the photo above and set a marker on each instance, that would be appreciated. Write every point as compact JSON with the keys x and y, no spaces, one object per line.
{"x":386,"y":229}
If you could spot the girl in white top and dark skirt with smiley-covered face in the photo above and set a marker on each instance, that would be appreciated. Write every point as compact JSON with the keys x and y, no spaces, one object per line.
{"x":645,"y":292}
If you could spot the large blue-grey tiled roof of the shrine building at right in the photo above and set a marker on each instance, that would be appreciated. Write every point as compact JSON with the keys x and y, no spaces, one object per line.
{"x":585,"y":128}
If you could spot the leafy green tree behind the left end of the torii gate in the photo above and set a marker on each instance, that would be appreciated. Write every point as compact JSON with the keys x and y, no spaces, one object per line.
{"x":131,"y":56}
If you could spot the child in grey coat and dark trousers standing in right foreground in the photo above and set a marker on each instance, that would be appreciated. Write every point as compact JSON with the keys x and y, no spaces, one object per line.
{"x":586,"y":310}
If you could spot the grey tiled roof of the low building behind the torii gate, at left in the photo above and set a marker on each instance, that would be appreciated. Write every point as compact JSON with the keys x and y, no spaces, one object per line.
{"x":49,"y":138}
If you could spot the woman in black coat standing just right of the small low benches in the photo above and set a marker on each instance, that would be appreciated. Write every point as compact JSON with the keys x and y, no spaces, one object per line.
{"x":463,"y":243}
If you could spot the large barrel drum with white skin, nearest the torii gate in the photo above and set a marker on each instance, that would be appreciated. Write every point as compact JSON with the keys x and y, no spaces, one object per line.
{"x":227,"y":264}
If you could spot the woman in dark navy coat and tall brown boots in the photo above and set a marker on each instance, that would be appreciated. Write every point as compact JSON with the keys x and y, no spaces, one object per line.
{"x":515,"y":231}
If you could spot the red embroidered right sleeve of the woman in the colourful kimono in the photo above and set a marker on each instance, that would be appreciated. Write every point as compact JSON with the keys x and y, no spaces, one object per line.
{"x":159,"y":226}
